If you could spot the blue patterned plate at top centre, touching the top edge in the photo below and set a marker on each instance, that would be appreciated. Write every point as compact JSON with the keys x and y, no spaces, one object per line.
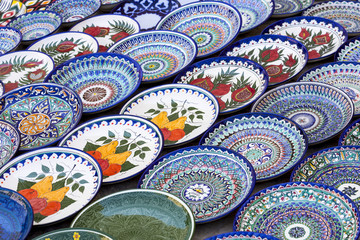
{"x":212,"y":25}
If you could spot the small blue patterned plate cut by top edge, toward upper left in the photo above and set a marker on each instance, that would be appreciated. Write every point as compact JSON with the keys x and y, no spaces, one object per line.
{"x":73,"y":11}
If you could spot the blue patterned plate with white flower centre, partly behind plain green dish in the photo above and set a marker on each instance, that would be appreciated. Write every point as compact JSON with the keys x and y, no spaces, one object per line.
{"x":212,"y":181}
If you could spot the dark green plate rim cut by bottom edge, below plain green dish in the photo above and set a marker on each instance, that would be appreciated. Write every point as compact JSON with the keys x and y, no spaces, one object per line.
{"x":74,"y":233}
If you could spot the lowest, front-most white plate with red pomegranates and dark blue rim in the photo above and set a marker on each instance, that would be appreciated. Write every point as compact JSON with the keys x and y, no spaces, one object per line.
{"x":235,"y":82}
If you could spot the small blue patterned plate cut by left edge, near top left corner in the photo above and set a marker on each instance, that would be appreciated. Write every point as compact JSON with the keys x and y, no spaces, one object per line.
{"x":10,"y":39}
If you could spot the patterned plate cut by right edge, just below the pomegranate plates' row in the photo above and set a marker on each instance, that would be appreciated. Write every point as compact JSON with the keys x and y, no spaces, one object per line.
{"x":343,"y":75}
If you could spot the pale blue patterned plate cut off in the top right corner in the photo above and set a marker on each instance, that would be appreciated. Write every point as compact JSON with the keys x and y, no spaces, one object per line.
{"x":346,"y":13}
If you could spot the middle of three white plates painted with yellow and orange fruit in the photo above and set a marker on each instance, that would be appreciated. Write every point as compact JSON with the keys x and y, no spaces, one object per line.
{"x":123,"y":145}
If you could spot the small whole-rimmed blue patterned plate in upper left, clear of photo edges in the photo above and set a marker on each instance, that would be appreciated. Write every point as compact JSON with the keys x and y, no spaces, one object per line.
{"x":36,"y":25}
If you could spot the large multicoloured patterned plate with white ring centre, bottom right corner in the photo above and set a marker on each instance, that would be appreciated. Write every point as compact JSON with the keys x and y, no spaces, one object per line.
{"x":299,"y":210}
